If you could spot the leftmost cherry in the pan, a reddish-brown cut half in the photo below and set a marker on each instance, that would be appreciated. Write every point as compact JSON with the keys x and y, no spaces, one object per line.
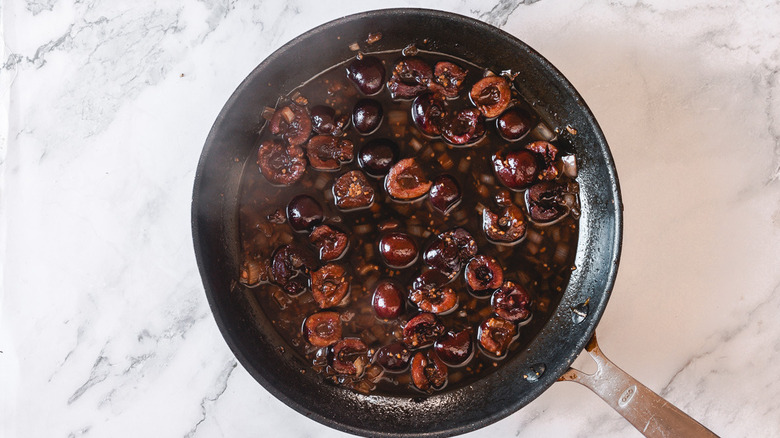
{"x":281,"y":164}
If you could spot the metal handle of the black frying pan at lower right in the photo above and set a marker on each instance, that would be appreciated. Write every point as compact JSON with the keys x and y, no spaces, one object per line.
{"x":647,"y":411}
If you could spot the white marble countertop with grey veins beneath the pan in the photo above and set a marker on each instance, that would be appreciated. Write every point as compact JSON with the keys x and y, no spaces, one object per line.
{"x":105,"y":329}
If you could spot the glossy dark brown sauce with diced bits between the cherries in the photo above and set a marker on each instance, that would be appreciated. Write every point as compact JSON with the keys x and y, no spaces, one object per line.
{"x":542,"y":262}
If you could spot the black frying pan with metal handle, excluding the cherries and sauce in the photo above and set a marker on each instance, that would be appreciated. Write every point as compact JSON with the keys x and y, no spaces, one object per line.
{"x":232,"y":143}
